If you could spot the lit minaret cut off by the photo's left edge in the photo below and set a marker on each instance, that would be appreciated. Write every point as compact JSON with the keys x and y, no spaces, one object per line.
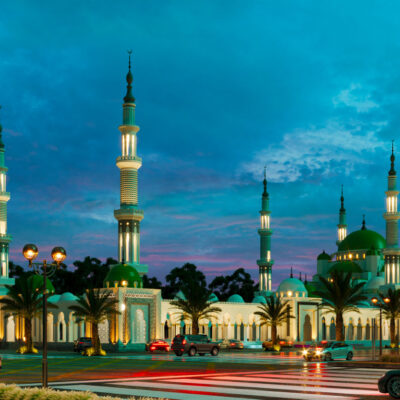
{"x":5,"y":239}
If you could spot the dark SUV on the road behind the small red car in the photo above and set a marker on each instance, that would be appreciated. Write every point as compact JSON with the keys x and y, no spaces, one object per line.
{"x":193,"y":344}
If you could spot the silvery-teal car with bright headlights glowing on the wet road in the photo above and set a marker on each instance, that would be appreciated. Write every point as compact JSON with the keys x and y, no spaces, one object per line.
{"x":328,"y":351}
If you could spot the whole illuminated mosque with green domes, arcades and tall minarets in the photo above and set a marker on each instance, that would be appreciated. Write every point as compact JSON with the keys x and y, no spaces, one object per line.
{"x":371,"y":257}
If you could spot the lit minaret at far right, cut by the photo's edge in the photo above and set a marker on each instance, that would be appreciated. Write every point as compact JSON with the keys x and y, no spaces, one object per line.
{"x":392,"y":216}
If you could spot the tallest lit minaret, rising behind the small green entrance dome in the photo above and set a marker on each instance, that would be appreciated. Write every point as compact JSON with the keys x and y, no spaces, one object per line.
{"x":129,"y":215}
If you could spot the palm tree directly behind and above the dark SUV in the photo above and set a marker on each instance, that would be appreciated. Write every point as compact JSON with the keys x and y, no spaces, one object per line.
{"x":195,"y":305}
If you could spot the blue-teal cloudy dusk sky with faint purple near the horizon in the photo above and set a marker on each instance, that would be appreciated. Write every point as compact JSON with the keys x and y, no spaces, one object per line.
{"x":310,"y":89}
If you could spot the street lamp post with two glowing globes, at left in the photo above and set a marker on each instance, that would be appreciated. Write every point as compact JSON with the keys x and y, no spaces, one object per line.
{"x":30,"y":252}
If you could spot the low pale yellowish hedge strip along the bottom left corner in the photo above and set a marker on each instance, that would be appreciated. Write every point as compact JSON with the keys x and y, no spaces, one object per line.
{"x":13,"y":392}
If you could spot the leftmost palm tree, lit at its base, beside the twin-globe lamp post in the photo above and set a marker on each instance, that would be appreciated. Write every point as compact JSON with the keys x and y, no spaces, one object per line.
{"x":25,"y":301}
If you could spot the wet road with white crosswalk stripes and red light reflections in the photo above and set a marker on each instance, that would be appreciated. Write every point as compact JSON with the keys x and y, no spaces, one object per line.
{"x":229,"y":376}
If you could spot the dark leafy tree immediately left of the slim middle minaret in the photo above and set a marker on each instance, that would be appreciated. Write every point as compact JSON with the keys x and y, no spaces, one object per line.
{"x":239,"y":282}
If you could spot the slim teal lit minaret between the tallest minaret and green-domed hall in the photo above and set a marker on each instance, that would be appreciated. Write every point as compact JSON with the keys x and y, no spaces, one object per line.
{"x":265,"y":262}
